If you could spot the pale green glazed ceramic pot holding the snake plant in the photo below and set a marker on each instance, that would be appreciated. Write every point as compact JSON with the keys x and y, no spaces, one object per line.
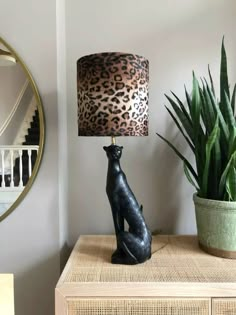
{"x":216,"y":226}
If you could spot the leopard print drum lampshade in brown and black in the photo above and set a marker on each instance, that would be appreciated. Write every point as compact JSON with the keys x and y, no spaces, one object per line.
{"x":112,"y":95}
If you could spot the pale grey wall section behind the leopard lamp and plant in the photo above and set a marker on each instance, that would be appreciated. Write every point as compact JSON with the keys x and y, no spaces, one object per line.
{"x":176,"y":37}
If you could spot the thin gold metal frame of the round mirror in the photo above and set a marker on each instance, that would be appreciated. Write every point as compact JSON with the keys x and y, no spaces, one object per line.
{"x":41,"y":128}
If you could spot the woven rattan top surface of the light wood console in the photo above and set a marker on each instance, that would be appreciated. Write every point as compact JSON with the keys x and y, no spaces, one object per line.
{"x":174,"y":259}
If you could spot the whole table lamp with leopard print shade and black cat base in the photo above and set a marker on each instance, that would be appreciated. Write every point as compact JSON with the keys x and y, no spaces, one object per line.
{"x":113,"y":101}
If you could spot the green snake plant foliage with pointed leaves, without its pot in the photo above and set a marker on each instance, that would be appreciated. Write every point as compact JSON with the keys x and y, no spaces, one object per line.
{"x":209,"y":127}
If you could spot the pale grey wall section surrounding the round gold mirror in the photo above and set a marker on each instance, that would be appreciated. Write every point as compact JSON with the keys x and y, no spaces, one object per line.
{"x":29,"y":237}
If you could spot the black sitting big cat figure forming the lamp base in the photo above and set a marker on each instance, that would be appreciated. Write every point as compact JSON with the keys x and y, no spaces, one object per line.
{"x":133,"y":246}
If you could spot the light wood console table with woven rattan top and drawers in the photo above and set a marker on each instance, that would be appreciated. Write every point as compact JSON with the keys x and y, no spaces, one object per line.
{"x":179,"y":279}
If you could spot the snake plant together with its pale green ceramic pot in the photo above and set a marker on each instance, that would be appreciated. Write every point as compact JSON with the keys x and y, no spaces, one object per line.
{"x":209,"y":127}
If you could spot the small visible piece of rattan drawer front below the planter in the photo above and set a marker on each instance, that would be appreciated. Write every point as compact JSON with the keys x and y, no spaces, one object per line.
{"x":224,"y":306}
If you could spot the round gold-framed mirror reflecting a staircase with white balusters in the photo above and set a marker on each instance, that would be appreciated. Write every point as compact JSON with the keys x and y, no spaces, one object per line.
{"x":21,"y":130}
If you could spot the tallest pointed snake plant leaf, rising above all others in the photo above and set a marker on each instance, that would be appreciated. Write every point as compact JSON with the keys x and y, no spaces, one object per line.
{"x":224,"y":84}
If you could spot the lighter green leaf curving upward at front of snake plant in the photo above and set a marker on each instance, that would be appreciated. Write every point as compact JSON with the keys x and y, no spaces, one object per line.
{"x":209,"y":145}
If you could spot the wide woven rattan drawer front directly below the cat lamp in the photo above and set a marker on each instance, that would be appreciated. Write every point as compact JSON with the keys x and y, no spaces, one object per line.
{"x":138,"y":306}
